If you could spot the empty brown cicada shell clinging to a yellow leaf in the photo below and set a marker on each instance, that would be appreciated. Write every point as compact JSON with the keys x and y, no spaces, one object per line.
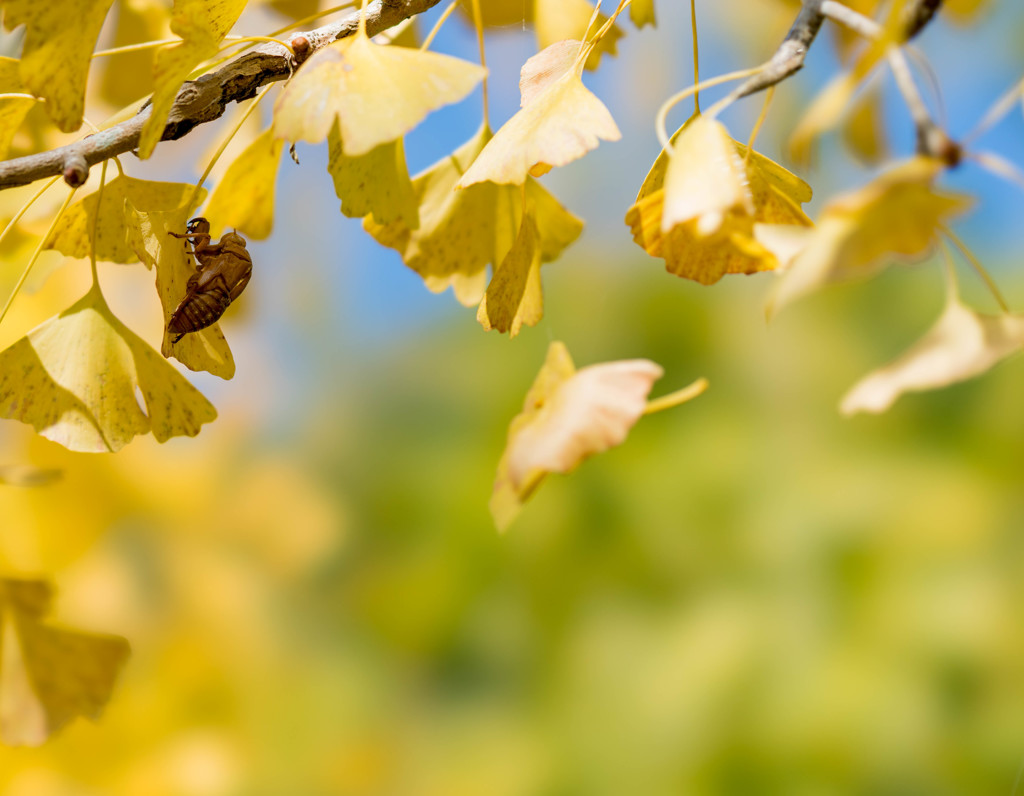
{"x":223,"y":271}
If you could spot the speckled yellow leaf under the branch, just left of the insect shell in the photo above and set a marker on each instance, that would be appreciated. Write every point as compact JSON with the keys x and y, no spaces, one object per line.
{"x":73,"y":235}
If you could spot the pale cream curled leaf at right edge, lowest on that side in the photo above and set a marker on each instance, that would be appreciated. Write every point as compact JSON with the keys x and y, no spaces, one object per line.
{"x":961,"y":346}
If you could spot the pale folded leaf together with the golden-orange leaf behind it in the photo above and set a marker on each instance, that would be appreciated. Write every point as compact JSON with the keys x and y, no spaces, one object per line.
{"x":698,"y":210}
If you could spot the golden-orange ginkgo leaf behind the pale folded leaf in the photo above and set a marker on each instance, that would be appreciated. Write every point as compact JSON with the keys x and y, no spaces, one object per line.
{"x":776,"y":196}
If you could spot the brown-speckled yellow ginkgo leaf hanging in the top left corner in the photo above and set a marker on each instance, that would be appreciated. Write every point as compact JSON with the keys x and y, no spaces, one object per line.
{"x":60,"y":37}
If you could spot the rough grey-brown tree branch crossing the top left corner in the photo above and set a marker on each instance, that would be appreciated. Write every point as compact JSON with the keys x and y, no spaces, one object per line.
{"x":205,"y":99}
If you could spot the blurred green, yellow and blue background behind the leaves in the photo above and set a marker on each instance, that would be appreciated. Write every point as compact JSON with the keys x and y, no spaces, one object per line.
{"x":753,"y":596}
